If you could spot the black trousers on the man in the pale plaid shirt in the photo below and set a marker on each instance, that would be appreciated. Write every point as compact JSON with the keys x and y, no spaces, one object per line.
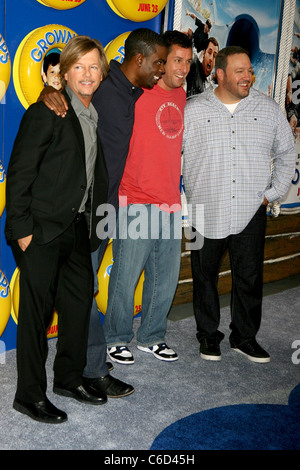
{"x":246,"y":251}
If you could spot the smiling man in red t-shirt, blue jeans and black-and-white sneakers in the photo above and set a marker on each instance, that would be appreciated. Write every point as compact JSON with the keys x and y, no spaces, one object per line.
{"x":148,"y":234}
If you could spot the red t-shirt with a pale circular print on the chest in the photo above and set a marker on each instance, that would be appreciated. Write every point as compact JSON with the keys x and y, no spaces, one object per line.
{"x":153,"y":166}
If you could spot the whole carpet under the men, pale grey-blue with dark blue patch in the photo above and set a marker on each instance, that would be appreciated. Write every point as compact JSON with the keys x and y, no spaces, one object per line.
{"x":251,"y":404}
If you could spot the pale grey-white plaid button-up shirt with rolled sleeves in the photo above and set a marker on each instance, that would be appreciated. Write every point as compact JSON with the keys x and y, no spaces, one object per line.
{"x":227,"y":160}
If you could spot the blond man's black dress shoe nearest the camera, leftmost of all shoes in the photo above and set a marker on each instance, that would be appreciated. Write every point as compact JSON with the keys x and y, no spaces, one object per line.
{"x":42,"y":411}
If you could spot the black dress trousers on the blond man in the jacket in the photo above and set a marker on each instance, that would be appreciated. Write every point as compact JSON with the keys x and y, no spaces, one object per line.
{"x":54,"y":275}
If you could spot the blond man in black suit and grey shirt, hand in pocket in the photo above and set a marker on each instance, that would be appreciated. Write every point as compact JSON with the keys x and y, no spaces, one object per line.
{"x":50,"y":179}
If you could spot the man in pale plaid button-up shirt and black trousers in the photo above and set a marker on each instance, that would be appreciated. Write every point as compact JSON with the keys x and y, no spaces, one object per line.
{"x":231,"y":134}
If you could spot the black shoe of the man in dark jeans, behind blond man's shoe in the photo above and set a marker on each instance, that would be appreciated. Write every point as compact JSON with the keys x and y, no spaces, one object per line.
{"x":112,"y":387}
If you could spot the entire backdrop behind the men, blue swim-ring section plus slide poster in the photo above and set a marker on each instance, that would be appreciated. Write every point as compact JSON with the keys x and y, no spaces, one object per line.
{"x":32,"y":29}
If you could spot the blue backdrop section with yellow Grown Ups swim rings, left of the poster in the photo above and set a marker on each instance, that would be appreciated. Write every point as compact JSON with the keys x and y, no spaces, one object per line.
{"x":29,"y":31}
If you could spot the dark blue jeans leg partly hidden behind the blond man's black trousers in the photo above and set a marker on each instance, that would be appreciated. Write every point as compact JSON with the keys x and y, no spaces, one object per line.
{"x":96,"y":348}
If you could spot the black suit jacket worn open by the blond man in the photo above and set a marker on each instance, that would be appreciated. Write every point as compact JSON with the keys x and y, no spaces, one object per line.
{"x":46,"y":176}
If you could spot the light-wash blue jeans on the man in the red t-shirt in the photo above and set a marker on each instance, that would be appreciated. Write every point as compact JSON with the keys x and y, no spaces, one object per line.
{"x":159,"y":255}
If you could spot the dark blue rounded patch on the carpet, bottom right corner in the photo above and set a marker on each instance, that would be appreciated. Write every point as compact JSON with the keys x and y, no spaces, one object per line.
{"x":237,"y":427}
